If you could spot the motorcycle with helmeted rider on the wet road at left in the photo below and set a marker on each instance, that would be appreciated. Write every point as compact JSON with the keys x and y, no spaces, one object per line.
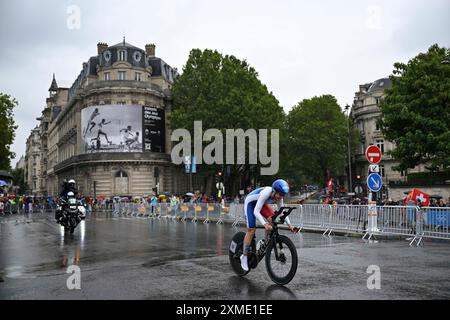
{"x":72,"y":212}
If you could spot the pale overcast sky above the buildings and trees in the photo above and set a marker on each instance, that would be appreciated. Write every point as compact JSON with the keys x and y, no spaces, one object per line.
{"x":299,"y":48}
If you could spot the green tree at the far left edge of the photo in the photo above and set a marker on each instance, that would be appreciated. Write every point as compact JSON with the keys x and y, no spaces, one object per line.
{"x":7,"y":130}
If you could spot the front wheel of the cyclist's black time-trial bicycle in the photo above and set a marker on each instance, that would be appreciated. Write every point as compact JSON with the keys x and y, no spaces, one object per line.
{"x":282,"y":266}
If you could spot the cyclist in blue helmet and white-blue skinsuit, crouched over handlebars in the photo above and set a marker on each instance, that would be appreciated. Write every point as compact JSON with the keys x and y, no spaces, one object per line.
{"x":257,"y":206}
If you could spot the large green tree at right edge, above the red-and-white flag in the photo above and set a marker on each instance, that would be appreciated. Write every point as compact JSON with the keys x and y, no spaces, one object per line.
{"x":416,"y":111}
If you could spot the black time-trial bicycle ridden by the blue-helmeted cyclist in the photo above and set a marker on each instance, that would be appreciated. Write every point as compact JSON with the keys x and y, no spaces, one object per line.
{"x":279,"y":251}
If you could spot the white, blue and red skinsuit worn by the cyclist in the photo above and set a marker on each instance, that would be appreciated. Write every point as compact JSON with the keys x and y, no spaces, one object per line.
{"x":257,"y":205}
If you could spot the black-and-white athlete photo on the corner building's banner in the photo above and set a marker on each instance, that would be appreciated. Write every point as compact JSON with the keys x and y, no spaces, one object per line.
{"x":112,"y":128}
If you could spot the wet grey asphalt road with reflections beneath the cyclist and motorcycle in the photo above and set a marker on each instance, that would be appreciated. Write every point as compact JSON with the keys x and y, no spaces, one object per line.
{"x":141,"y":258}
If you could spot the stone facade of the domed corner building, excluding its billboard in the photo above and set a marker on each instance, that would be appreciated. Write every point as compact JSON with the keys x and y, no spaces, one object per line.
{"x":119,"y":75}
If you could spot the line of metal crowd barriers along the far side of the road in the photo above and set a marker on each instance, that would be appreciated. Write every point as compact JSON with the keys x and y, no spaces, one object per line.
{"x":407,"y":221}
